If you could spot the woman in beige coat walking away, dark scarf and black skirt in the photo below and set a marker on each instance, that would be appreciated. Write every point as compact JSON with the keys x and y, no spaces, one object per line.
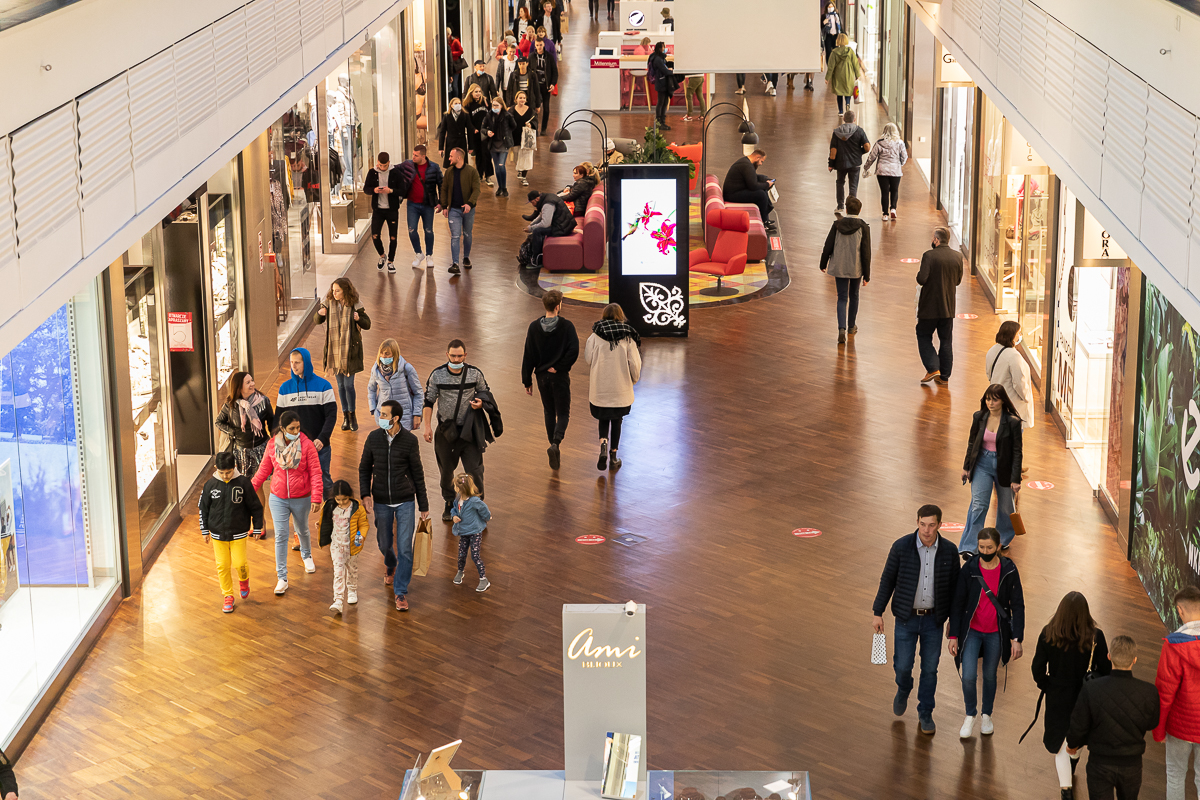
{"x":616,"y":365}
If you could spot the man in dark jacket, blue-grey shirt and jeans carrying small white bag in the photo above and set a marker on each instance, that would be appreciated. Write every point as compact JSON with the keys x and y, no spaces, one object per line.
{"x":920,"y":578}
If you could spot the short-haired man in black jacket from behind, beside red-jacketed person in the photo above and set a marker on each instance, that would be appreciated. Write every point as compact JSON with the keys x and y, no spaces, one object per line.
{"x":1112,"y":718}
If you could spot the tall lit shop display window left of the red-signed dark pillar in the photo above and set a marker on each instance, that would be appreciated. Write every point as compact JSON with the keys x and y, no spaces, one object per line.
{"x":143,"y":322}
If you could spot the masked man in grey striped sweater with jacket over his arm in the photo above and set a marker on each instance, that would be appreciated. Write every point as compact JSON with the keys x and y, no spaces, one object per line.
{"x":452,"y":390}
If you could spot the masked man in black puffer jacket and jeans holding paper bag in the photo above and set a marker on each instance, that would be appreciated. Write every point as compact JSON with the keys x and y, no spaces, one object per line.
{"x":391,"y":477}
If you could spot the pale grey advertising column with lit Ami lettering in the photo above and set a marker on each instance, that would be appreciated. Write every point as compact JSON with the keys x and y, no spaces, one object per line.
{"x":604,"y":684}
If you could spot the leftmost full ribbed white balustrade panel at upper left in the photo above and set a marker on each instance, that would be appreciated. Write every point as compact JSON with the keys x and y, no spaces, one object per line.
{"x":46,"y":197}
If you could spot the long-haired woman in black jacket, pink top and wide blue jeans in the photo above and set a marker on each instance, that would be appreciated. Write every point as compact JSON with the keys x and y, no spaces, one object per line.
{"x":993,"y":461}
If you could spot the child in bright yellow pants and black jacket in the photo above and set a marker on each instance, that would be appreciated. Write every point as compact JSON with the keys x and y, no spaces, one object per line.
{"x":230,"y":506}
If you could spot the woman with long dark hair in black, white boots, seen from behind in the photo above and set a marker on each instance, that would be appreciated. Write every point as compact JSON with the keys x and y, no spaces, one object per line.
{"x":1070,"y":647}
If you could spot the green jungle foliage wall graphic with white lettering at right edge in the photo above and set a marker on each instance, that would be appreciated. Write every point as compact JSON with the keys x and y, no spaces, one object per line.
{"x":1167,"y":512}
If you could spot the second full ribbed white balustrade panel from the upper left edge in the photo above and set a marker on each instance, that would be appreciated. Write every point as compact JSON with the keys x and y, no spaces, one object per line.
{"x":106,"y":161}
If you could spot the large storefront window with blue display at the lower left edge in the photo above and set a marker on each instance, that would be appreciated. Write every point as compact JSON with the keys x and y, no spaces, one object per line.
{"x":58,"y":528}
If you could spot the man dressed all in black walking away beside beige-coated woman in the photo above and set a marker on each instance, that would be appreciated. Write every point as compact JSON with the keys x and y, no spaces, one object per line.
{"x":553,"y":347}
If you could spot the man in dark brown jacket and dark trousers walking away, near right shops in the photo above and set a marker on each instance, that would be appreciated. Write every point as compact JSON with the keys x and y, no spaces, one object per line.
{"x":940,"y":275}
